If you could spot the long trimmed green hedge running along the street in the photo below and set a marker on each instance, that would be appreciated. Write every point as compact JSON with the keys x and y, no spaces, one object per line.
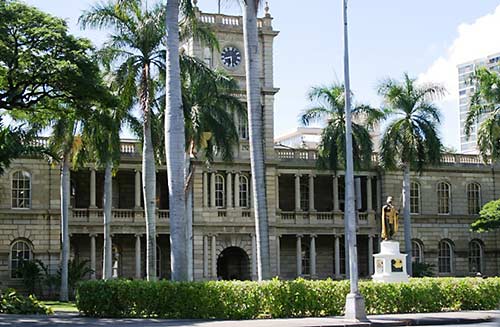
{"x":278,"y":299}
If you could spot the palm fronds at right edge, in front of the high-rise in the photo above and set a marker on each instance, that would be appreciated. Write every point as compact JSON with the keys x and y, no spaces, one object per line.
{"x":485,"y":111}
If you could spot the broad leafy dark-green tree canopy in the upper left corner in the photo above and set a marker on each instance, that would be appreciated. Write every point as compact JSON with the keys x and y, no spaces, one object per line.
{"x":40,"y":60}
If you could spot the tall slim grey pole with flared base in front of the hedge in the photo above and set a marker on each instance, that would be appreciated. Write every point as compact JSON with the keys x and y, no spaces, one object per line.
{"x":355,"y":309}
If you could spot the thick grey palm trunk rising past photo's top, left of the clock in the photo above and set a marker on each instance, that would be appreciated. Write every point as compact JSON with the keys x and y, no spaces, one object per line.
{"x":175,"y":148}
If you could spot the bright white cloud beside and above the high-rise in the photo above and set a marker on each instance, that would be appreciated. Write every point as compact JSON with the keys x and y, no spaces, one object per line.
{"x":474,"y":40}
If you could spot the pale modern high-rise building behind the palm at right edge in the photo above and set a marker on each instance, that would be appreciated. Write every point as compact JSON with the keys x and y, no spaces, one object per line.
{"x":466,"y":89}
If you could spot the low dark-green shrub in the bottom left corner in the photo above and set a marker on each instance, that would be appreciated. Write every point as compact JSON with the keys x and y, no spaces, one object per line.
{"x":13,"y":303}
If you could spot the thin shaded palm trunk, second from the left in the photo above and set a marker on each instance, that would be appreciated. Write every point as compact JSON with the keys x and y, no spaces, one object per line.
{"x":108,"y":203}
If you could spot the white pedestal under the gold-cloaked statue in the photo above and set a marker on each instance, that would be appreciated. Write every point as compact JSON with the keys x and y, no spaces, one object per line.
{"x":390,"y":264}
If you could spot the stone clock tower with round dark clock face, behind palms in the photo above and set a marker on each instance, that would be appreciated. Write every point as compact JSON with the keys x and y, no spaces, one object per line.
{"x":230,"y":58}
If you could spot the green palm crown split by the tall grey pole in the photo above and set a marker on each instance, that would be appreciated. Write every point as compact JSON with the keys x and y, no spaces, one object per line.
{"x":329,"y":107}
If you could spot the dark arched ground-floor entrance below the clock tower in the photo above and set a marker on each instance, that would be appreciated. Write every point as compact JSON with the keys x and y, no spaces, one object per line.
{"x":233,"y":263}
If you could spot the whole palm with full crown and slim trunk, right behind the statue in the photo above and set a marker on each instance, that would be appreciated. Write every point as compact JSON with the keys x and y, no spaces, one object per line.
{"x":411,"y":137}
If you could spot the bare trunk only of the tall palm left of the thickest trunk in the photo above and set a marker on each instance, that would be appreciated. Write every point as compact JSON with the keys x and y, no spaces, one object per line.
{"x":148,"y":178}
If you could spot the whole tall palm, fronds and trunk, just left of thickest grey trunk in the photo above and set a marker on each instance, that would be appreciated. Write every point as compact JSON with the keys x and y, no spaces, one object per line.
{"x":135,"y":49}
